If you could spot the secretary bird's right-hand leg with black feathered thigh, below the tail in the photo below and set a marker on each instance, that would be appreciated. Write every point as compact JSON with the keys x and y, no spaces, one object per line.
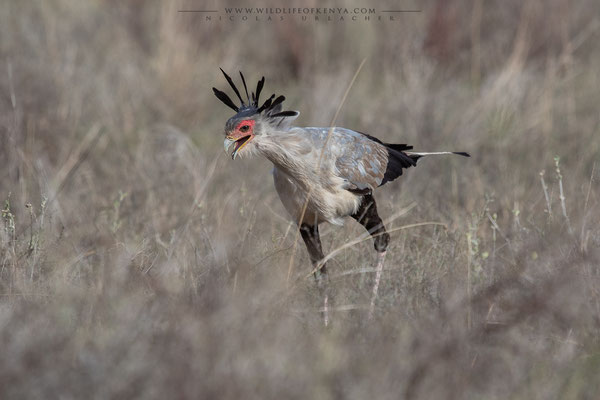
{"x":367,"y":216}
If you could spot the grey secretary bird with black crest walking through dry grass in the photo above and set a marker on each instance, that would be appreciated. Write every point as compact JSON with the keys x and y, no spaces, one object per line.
{"x":320,"y":174}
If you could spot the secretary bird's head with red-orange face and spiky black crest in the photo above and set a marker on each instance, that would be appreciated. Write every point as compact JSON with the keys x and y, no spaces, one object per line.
{"x":252,"y":123}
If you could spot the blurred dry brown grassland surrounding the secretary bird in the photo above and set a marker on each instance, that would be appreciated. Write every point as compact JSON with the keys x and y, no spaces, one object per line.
{"x":138,"y":261}
